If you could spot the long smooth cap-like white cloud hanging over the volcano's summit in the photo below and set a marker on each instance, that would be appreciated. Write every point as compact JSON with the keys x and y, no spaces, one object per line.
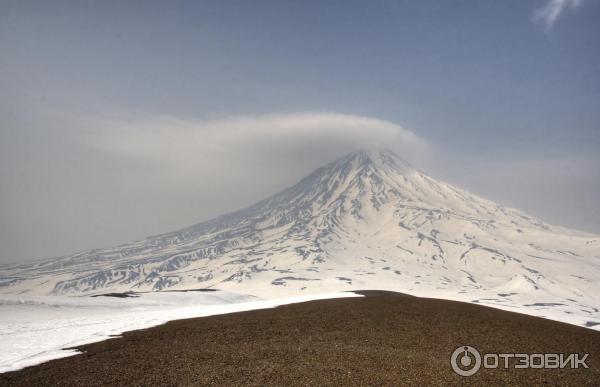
{"x":240,"y":143}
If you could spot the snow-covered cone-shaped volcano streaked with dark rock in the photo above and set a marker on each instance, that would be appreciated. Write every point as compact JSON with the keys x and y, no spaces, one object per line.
{"x":366,"y":221}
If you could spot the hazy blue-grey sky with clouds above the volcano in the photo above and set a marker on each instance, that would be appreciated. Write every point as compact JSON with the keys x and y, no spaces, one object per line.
{"x":120,"y":120}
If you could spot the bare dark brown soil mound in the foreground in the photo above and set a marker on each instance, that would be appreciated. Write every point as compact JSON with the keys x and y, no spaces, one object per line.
{"x":383,"y":339}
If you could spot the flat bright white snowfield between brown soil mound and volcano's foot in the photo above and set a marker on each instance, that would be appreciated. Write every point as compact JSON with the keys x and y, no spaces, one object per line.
{"x":34,"y":329}
